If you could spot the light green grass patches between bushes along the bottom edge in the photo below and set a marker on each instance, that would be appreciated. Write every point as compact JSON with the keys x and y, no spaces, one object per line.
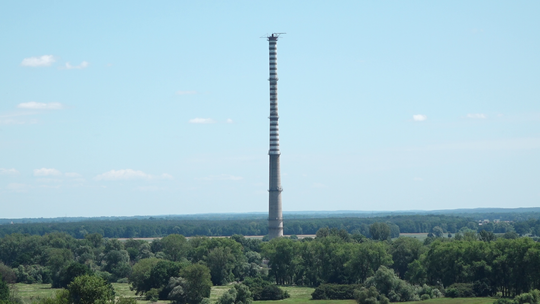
{"x":29,"y":293}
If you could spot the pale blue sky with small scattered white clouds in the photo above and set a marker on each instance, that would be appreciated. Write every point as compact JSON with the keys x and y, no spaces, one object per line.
{"x":147,"y":108}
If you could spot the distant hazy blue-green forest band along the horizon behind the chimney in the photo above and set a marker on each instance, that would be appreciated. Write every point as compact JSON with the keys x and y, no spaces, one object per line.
{"x":147,"y":228}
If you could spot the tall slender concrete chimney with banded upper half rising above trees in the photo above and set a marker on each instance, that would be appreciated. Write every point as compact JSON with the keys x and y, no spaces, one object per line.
{"x":275,"y":219}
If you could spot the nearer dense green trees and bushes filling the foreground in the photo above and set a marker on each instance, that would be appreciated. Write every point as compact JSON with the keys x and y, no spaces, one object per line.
{"x":453,"y":261}
